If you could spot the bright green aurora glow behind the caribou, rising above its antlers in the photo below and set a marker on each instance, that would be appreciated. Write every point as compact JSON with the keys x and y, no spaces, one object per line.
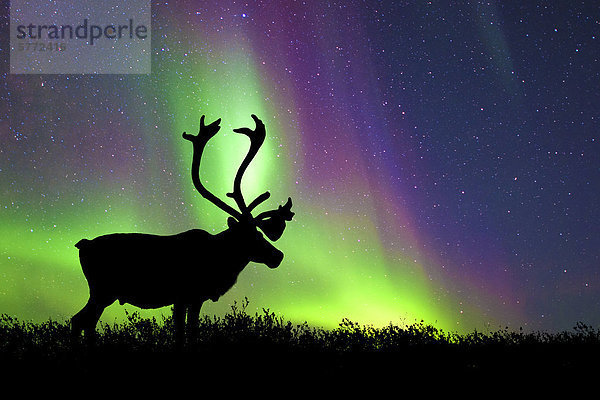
{"x":335,"y":264}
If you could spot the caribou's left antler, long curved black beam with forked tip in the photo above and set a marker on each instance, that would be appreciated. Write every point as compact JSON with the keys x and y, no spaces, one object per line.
{"x":199,"y":141}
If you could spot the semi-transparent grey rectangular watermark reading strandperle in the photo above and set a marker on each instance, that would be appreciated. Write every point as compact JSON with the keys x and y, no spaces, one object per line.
{"x":75,"y":37}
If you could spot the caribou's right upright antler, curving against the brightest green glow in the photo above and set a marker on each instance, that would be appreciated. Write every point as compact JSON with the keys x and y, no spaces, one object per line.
{"x":257,"y":137}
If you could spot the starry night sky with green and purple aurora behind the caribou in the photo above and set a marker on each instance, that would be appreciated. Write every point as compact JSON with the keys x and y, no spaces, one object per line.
{"x":443,"y":160}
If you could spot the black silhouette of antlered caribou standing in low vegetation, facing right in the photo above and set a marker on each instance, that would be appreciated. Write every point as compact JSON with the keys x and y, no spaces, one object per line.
{"x":186,"y":269}
